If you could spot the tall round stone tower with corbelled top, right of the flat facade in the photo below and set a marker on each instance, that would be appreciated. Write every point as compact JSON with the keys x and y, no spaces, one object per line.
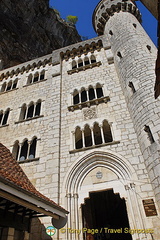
{"x":134,"y":55}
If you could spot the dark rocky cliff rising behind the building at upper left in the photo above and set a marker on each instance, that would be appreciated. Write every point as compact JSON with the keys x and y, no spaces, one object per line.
{"x":30,"y":29}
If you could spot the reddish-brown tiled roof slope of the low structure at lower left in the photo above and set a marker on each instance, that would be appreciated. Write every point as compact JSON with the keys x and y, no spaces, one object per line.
{"x":12,"y":174}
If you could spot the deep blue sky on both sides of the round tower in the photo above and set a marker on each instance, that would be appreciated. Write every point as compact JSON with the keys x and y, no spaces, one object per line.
{"x":83,"y":9}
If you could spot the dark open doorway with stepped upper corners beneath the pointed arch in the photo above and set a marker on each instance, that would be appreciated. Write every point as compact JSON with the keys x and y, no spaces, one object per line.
{"x":105,"y":212}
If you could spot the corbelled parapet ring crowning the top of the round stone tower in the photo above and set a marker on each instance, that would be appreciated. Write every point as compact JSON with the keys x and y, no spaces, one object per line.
{"x":106,"y":9}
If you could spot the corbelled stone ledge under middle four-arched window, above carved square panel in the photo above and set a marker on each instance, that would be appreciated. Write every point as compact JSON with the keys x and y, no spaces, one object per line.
{"x":89,"y":103}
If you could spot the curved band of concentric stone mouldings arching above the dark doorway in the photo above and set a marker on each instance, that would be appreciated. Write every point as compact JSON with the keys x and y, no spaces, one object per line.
{"x":114,"y":162}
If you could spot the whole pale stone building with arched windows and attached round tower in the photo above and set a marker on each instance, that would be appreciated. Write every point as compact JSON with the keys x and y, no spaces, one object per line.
{"x":84,"y":125}
